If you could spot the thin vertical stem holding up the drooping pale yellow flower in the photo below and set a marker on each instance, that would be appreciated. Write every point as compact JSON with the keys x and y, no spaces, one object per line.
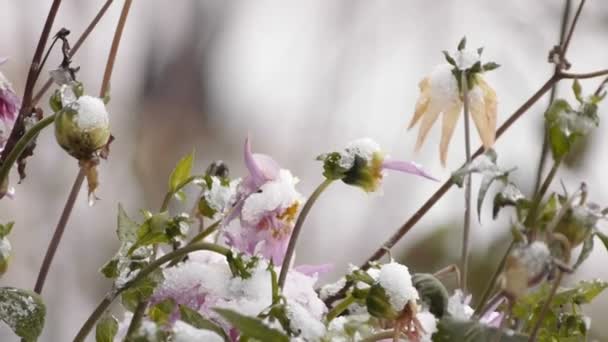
{"x":464,"y":258}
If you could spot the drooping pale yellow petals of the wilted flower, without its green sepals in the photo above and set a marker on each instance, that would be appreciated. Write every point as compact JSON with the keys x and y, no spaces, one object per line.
{"x":439,"y":94}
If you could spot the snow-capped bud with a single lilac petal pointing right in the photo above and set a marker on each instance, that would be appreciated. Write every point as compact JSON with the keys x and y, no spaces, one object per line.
{"x":362,"y":163}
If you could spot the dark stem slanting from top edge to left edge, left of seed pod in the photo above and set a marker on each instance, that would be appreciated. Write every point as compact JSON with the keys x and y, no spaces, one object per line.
{"x":26,"y":107}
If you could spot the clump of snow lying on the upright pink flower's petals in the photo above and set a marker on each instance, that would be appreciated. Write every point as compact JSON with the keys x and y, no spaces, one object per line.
{"x":275,"y":195}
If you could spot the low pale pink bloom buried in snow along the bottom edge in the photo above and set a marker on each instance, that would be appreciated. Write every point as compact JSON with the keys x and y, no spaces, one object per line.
{"x":205,"y":282}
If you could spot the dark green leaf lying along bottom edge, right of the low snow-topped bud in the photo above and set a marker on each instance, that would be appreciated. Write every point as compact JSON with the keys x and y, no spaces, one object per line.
{"x":451,"y":329}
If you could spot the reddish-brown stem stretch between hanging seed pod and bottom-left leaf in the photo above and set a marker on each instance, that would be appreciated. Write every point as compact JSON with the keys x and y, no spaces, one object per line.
{"x":63,"y":220}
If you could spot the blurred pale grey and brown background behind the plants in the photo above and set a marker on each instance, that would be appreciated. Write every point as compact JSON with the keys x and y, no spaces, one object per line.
{"x":301,"y":78}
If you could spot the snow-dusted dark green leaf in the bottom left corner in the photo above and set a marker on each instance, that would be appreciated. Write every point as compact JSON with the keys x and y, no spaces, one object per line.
{"x":23,"y":311}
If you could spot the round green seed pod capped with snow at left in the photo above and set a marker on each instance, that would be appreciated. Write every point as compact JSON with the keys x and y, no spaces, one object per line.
{"x":82,"y":127}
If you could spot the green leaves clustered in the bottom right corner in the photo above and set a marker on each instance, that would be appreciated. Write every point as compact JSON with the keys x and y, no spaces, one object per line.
{"x":563,"y":319}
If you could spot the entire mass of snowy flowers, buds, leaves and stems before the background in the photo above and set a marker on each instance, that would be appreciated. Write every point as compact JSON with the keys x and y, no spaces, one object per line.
{"x":221,"y":266}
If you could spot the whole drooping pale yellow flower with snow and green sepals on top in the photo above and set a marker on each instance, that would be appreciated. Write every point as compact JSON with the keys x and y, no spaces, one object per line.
{"x":441,"y":92}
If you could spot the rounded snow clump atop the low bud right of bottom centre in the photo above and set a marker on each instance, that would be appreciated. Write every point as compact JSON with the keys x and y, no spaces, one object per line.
{"x":396,"y":280}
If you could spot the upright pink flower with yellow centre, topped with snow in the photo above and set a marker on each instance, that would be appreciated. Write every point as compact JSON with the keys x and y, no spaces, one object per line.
{"x":266,"y":209}
